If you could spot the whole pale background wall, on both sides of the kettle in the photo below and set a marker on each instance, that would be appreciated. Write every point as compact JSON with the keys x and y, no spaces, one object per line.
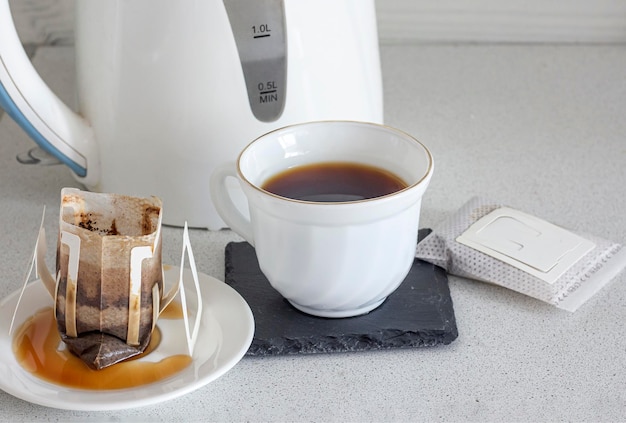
{"x":400,"y":21}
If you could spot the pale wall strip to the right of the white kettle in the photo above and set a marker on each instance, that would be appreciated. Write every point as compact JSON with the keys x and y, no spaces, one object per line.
{"x":502,"y":20}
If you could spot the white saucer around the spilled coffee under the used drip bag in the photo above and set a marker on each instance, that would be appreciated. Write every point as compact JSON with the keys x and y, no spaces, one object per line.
{"x":225,"y":335}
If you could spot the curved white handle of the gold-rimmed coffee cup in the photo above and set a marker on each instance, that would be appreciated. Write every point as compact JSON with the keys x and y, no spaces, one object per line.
{"x":224,"y":204}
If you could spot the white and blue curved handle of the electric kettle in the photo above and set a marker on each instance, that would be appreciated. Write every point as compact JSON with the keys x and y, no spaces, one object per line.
{"x":38,"y":111}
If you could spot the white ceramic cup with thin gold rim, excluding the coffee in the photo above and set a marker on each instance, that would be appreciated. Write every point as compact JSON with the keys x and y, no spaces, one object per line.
{"x":329,"y":259}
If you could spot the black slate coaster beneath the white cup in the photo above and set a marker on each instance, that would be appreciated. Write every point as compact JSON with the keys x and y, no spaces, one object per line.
{"x":418,"y":314}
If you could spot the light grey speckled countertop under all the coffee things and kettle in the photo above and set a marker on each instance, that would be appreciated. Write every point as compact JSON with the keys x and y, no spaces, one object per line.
{"x":541,"y":128}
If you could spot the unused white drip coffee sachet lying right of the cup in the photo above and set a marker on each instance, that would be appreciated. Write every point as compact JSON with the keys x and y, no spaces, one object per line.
{"x":489,"y":242}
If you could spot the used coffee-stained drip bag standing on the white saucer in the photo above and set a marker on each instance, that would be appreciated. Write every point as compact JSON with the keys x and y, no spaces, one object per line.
{"x":109,"y":274}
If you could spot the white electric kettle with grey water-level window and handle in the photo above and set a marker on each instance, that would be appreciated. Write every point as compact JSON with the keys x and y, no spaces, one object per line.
{"x":168,"y":90}
